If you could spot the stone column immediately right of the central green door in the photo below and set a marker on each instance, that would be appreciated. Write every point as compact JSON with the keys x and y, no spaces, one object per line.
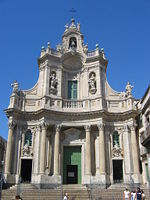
{"x":88,"y":150}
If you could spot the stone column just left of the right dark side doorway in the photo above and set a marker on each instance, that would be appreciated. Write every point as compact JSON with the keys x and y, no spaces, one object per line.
{"x":102,"y":159}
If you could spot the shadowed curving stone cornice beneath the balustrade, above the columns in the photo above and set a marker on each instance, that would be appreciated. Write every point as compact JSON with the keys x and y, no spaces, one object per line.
{"x":70,"y":116}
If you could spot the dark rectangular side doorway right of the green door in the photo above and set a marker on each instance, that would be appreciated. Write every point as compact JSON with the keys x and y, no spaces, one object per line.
{"x":117,"y":171}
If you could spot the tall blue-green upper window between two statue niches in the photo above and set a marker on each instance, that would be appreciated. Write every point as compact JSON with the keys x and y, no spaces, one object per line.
{"x":72,"y":89}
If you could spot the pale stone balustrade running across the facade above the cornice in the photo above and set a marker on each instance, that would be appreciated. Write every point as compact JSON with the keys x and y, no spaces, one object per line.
{"x":76,"y":105}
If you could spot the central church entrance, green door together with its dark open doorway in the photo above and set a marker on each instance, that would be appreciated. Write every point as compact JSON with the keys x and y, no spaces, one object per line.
{"x":72,"y":165}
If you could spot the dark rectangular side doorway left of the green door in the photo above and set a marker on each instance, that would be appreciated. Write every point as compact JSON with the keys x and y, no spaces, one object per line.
{"x":26,"y":169}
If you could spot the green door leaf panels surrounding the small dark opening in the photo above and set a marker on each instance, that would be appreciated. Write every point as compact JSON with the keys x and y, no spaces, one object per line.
{"x":72,"y":156}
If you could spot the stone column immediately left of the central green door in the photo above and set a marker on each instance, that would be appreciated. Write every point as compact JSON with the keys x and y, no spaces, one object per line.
{"x":56,"y":150}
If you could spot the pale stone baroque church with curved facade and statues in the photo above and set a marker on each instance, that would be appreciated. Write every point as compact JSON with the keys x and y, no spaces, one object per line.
{"x":72,"y":127}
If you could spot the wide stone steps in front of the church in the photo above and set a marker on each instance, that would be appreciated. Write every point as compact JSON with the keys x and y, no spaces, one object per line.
{"x":76,"y":192}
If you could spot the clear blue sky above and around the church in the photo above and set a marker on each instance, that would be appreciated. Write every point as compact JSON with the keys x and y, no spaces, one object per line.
{"x":121,"y":27}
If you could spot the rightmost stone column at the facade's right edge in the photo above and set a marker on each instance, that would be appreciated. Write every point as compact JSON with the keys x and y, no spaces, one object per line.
{"x":134,"y":151}
